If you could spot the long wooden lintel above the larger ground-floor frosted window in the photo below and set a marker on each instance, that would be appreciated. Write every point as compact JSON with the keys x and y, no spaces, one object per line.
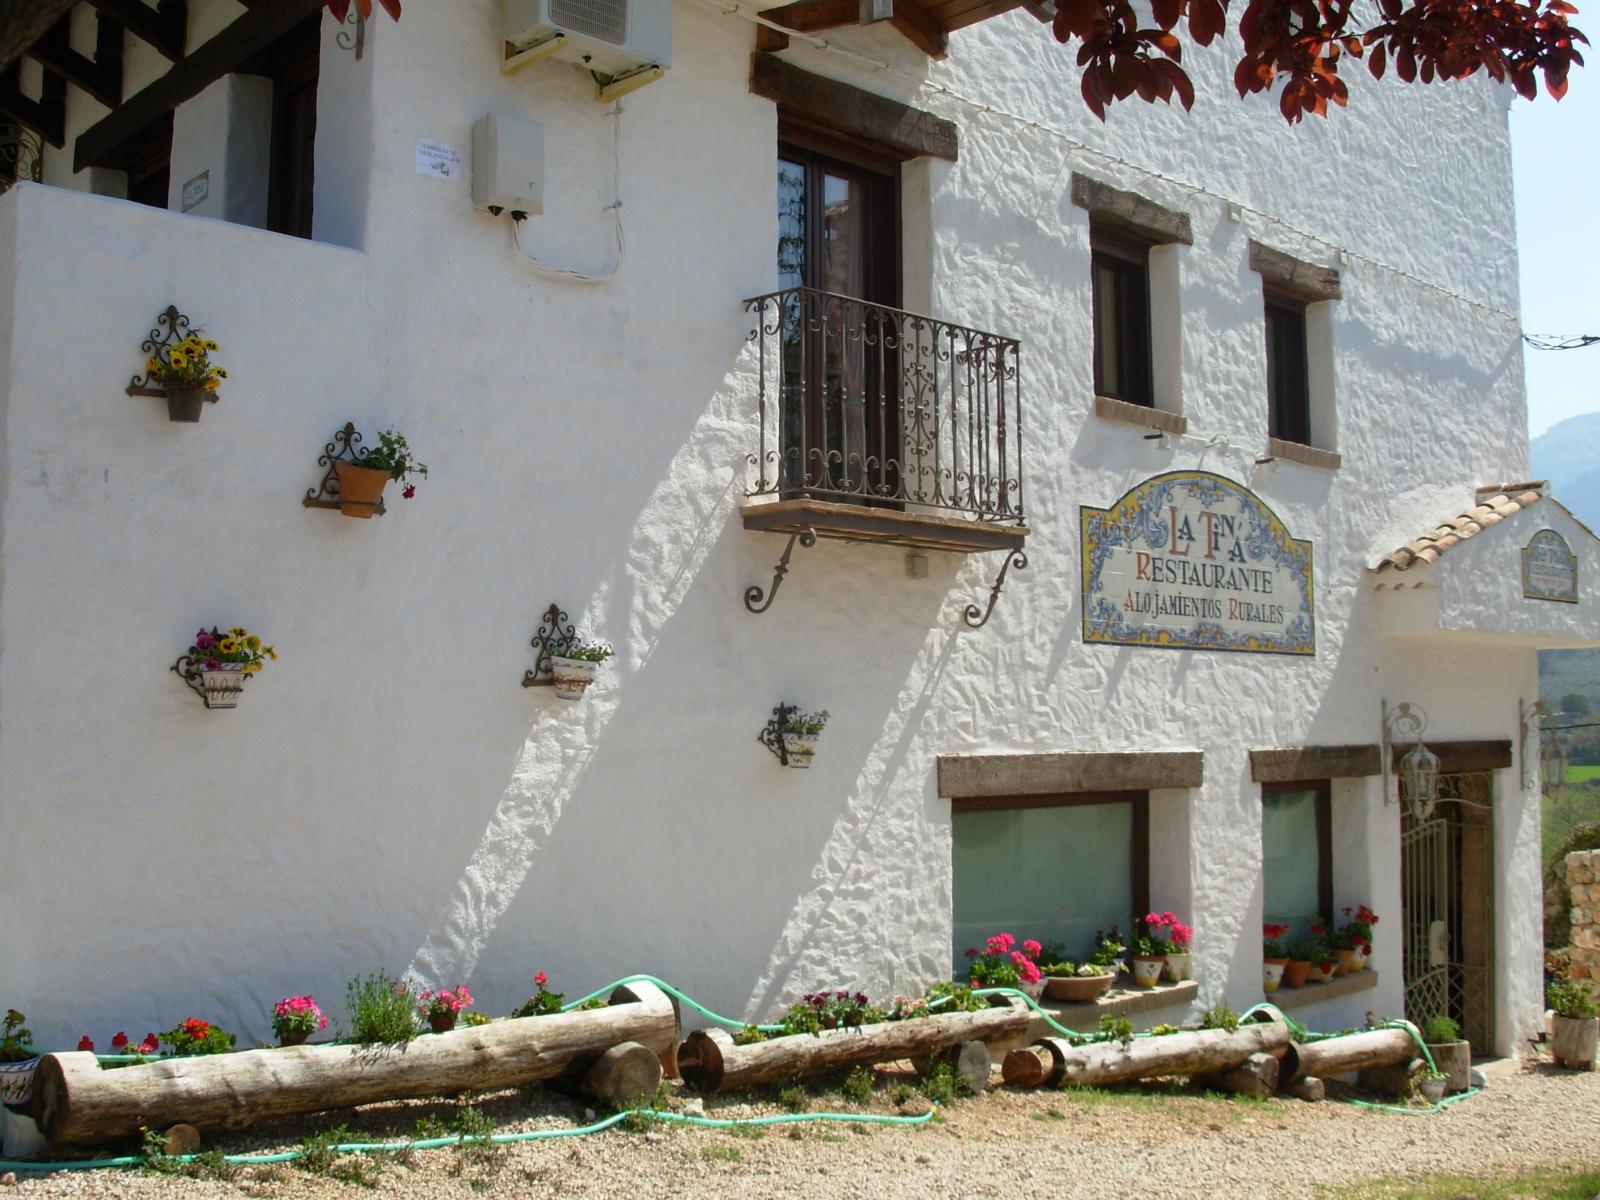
{"x":977,"y":775}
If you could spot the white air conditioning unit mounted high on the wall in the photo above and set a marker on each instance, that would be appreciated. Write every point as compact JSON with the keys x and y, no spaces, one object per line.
{"x":623,"y":42}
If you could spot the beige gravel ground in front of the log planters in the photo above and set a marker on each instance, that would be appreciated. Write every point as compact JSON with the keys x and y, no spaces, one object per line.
{"x":1153,"y":1143}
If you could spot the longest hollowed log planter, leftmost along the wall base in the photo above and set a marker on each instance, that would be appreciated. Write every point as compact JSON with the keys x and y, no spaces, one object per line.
{"x":78,"y":1102}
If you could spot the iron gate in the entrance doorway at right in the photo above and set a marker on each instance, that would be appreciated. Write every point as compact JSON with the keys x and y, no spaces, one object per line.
{"x":1447,"y":886}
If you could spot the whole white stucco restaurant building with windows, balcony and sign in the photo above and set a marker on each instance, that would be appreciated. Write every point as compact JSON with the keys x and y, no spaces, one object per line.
{"x":1281,"y":359}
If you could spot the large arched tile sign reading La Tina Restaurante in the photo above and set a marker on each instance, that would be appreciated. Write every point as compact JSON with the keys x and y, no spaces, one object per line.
{"x":1191,"y":561}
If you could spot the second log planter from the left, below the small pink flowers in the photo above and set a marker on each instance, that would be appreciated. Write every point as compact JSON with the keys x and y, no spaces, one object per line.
{"x":711,"y":1062}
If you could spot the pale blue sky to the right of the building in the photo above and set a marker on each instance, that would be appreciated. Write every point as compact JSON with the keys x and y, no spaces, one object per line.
{"x":1556,"y":164}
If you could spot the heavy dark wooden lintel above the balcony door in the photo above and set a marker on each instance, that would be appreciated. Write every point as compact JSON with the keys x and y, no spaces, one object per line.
{"x":855,"y":111}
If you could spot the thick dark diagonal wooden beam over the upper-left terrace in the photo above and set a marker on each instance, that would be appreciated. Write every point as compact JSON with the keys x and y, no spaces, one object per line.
{"x":194,"y":74}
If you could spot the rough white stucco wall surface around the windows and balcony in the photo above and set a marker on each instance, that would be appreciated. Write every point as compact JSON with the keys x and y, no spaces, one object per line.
{"x":388,"y":796}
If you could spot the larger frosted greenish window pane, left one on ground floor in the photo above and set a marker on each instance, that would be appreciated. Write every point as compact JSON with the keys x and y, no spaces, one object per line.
{"x":1057,"y":874}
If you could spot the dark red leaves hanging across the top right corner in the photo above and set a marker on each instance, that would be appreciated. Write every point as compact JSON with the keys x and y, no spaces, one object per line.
{"x":1305,"y":41}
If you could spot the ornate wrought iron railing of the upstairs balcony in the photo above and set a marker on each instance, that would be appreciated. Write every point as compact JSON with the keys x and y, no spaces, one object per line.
{"x":873,"y":406}
